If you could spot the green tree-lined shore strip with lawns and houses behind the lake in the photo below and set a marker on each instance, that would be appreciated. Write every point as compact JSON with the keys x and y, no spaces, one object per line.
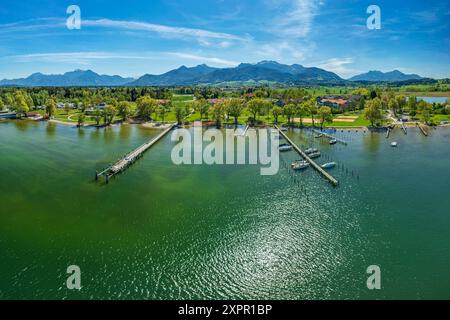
{"x":316,"y":107}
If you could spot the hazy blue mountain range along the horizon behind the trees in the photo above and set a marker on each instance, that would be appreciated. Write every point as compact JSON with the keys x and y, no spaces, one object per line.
{"x":261,"y":72}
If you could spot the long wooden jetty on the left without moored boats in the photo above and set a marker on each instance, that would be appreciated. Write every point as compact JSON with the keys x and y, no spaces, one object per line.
{"x":123,"y":163}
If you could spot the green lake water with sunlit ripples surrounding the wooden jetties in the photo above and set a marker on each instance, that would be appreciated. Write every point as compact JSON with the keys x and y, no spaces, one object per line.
{"x":161,"y":231}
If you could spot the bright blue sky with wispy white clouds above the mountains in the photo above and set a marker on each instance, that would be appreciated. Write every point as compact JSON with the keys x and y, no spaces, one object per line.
{"x":134,"y":37}
